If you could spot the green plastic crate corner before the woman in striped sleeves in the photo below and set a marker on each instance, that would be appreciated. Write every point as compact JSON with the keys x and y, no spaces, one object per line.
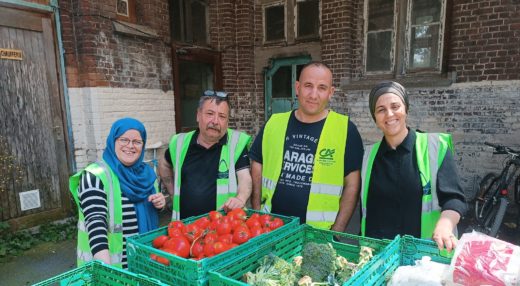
{"x":97,"y":273}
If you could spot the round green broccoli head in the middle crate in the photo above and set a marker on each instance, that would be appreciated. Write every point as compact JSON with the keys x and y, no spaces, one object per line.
{"x":319,"y":261}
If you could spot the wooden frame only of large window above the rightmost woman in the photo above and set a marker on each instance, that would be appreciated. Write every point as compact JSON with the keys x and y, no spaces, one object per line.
{"x":401,"y":42}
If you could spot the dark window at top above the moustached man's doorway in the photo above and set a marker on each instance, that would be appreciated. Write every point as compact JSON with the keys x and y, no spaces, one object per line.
{"x":189,"y":21}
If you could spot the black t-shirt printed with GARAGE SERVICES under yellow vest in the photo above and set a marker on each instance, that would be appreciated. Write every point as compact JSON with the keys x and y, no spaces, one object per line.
{"x":292,"y":191}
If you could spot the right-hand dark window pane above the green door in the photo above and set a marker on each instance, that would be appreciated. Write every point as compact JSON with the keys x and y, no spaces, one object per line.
{"x":308,"y":18}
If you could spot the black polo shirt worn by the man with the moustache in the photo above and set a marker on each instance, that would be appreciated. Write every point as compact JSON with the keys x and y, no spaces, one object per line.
{"x":198,"y":194}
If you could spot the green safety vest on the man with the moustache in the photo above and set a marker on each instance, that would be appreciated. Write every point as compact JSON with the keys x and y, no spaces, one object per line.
{"x":226,"y":185}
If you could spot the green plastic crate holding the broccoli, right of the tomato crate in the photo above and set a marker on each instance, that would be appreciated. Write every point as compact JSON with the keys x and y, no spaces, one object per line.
{"x":348,"y":246}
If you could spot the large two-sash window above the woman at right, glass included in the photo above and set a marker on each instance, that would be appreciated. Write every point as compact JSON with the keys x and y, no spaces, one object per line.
{"x":414,"y":45}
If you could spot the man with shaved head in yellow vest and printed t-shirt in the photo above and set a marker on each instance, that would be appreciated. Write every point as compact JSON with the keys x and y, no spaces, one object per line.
{"x":306,"y":162}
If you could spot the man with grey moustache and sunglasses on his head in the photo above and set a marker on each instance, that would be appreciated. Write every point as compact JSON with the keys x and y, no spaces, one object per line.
{"x":207,"y":169}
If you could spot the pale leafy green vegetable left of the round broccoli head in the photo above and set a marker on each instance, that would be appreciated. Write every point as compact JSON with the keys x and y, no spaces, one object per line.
{"x":273,"y":271}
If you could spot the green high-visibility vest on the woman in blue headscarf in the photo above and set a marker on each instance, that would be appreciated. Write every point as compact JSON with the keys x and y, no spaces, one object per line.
{"x":115,"y":217}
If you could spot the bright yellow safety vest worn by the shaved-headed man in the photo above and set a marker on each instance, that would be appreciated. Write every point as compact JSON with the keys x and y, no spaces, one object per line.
{"x":328,"y":169}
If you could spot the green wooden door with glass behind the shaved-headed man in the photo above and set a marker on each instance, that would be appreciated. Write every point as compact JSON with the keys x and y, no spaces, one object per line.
{"x":280,"y":78}
